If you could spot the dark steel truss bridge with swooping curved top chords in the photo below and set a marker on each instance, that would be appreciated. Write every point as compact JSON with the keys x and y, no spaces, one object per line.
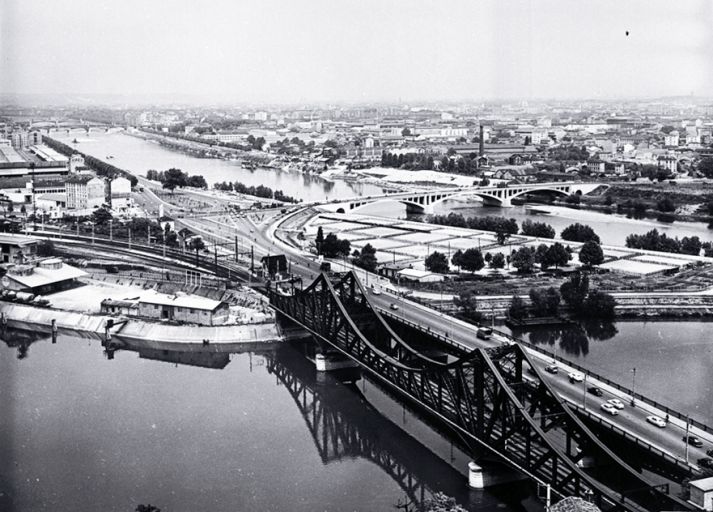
{"x":484,"y":395}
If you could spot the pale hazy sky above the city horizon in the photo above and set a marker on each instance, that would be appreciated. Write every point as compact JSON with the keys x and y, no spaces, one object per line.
{"x":336,"y":50}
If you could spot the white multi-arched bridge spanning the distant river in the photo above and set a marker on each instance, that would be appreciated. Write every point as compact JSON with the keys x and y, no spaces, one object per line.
{"x":422,"y":202}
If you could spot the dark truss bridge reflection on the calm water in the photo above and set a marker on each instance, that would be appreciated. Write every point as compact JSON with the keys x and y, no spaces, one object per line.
{"x":343,"y":424}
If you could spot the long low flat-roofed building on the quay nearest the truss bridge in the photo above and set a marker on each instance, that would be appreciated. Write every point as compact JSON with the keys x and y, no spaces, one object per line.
{"x":192,"y":309}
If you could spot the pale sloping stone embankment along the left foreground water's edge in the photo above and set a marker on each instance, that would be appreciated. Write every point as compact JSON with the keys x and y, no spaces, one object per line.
{"x":179,"y":335}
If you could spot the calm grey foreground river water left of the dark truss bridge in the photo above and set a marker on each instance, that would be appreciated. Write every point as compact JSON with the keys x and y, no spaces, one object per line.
{"x":219,"y":432}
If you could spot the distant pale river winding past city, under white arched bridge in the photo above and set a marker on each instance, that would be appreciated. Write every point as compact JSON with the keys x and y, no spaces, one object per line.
{"x":139,"y":155}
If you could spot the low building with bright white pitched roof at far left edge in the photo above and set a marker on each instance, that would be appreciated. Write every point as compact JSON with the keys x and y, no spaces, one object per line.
{"x":47,"y":276}
